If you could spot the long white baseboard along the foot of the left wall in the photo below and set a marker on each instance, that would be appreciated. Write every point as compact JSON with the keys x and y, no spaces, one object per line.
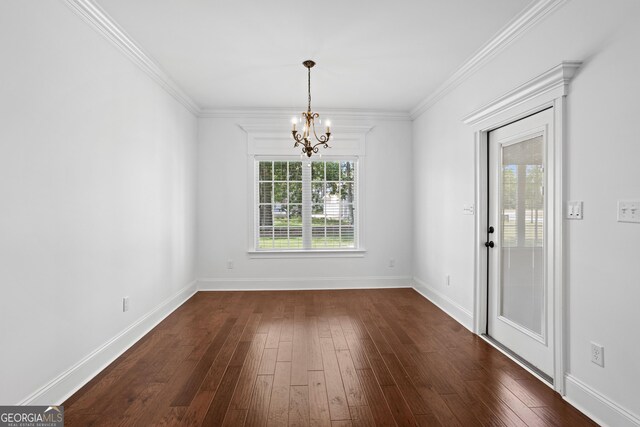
{"x":64,"y":385}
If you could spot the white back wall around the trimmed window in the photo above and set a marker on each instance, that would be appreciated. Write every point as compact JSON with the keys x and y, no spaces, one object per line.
{"x":223,"y":213}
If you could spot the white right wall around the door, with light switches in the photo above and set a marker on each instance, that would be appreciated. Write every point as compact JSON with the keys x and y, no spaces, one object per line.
{"x":602,"y":166}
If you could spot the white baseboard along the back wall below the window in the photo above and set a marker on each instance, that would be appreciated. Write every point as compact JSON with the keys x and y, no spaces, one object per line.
{"x":302,"y":283}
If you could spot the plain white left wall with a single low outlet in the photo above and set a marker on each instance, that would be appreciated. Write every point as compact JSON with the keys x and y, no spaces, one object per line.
{"x":97,"y":187}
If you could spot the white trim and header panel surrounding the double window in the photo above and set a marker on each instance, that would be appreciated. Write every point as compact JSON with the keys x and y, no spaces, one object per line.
{"x":273,"y":141}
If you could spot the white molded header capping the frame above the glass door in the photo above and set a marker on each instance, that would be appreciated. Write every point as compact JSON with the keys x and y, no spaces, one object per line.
{"x":554,"y":81}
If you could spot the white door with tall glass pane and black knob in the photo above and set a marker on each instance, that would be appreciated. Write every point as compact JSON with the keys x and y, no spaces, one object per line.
{"x":520,"y":302}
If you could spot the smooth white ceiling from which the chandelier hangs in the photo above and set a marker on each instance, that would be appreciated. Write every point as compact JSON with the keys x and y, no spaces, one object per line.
{"x":373,"y":55}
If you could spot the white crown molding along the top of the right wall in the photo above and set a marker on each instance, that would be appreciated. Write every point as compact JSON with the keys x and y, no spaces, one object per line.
{"x":511,"y":32}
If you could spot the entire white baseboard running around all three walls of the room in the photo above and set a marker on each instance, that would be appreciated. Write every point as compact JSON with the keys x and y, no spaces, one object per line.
{"x":584,"y":398}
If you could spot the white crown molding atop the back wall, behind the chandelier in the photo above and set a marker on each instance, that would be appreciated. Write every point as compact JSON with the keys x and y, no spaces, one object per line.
{"x":288,"y":113}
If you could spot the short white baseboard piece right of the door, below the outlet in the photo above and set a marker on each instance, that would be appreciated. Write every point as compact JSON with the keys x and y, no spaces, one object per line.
{"x":596,"y":406}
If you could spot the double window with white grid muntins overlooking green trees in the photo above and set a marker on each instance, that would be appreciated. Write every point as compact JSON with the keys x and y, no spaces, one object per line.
{"x":306,"y":205}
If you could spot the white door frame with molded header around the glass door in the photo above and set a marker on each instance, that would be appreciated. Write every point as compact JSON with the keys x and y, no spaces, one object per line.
{"x":549,"y":89}
